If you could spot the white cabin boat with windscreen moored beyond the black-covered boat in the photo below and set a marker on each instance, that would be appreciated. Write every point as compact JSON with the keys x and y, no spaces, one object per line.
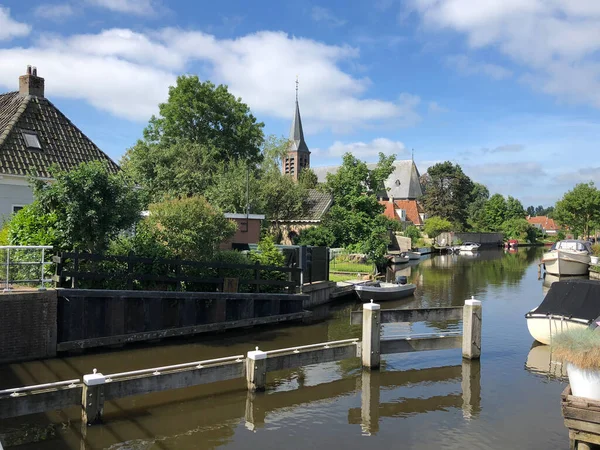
{"x":568,"y":257}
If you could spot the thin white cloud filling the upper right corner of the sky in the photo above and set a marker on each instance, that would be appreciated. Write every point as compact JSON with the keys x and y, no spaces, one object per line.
{"x":556,"y":41}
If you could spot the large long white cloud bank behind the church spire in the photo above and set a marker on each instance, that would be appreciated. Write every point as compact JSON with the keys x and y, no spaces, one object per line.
{"x":128,"y":73}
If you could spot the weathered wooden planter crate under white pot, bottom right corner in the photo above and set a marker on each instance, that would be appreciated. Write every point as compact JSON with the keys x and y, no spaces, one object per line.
{"x":582,"y":418}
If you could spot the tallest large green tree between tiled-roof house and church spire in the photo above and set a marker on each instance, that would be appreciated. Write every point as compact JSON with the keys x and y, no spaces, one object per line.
{"x":199,"y":128}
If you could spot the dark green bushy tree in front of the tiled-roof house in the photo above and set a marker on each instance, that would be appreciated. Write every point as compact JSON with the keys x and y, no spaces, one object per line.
{"x":88,"y":205}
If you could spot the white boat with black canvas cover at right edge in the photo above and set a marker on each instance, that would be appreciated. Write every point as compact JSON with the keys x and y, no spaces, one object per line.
{"x":568,"y":305}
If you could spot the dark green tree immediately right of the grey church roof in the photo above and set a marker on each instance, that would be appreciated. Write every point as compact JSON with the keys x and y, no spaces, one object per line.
{"x":447,"y":193}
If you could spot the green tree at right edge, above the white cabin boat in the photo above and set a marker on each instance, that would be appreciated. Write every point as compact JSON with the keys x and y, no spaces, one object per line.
{"x":579,"y":209}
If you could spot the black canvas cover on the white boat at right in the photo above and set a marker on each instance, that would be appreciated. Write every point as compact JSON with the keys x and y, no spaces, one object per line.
{"x":579,"y":299}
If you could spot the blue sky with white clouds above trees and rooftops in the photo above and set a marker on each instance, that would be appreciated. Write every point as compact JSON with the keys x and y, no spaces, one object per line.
{"x":510,"y":89}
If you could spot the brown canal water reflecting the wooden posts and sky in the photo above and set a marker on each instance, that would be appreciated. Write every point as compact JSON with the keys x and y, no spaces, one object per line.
{"x":510,"y":399}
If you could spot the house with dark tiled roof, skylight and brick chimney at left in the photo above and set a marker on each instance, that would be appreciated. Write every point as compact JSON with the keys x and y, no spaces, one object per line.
{"x":34,"y":135}
